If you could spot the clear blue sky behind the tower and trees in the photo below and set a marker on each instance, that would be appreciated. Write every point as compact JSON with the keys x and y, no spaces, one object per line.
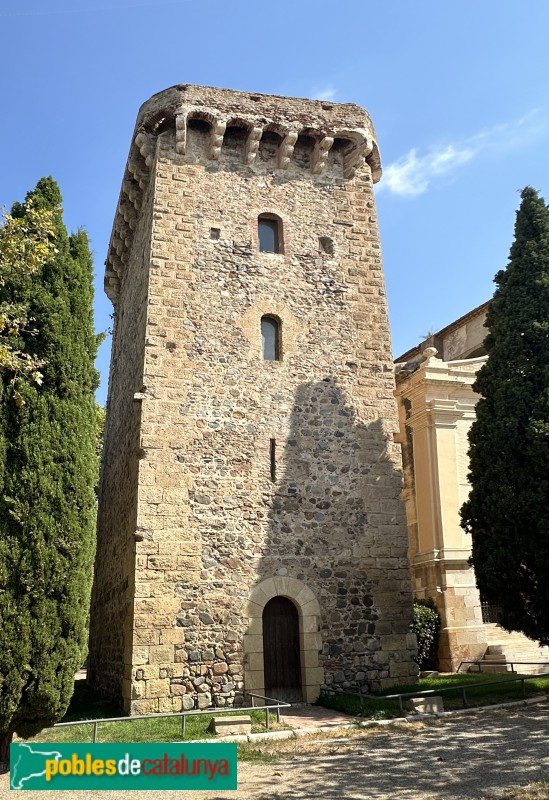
{"x":459,"y":95}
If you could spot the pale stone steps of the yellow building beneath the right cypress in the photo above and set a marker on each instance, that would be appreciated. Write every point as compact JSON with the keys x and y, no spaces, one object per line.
{"x":512,"y":649}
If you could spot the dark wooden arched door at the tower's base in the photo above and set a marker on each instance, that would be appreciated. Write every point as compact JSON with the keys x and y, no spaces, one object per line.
{"x":281,"y":650}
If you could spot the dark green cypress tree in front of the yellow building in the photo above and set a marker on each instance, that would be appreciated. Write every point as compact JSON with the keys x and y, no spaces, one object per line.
{"x":507,"y":511}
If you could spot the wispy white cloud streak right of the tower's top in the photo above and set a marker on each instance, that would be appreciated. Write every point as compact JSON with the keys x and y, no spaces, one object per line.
{"x":413,"y":174}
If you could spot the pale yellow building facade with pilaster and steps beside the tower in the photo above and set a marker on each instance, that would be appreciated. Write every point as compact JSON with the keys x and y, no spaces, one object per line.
{"x":436,"y":405}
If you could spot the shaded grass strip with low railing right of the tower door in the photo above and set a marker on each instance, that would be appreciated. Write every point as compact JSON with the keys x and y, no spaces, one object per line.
{"x":490,"y":692}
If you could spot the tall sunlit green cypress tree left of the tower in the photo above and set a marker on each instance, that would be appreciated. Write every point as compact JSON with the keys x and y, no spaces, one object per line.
{"x":47,"y":476}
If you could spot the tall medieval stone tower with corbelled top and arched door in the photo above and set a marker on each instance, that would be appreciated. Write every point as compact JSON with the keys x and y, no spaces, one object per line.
{"x":250,"y":536}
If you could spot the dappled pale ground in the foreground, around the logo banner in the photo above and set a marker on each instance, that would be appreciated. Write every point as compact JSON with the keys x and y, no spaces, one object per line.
{"x":461,"y":758}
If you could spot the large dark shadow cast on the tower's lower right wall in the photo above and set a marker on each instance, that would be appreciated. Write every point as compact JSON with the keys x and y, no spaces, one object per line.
{"x":336,"y":525}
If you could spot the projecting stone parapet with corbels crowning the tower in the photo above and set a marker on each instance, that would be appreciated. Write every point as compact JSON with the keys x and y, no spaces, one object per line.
{"x":336,"y":139}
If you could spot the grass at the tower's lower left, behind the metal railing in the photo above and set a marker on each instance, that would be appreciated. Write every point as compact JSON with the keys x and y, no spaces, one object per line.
{"x":86,"y":705}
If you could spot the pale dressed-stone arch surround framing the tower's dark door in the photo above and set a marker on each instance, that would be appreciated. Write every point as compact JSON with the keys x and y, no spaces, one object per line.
{"x":312,"y":675}
